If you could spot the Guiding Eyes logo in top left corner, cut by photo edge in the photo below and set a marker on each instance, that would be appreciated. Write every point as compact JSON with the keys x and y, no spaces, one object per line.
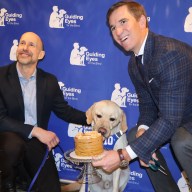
{"x":9,"y":18}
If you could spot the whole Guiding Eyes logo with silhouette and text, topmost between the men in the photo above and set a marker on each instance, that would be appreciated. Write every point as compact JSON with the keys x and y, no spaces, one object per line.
{"x":59,"y":18}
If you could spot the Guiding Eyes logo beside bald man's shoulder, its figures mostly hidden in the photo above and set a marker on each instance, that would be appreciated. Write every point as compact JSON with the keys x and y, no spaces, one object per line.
{"x":70,"y":93}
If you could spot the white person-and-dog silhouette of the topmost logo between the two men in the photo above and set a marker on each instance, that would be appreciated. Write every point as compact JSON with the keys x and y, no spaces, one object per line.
{"x":56,"y":19}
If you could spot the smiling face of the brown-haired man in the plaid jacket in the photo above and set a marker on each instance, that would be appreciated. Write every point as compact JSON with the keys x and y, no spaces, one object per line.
{"x":126,"y":30}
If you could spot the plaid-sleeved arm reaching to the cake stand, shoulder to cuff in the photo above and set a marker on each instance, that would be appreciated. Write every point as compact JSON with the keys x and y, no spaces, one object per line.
{"x":172,"y":94}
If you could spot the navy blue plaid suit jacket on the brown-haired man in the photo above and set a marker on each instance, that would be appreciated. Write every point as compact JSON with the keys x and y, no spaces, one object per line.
{"x":165,"y":95}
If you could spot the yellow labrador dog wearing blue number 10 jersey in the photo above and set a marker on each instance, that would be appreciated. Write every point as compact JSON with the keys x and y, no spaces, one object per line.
{"x":109,"y":119}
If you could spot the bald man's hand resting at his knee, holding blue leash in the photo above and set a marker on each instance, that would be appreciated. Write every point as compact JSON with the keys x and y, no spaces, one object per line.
{"x":47,"y":137}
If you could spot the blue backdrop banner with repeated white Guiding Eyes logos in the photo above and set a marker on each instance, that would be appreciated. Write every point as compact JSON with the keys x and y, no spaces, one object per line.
{"x":89,"y":67}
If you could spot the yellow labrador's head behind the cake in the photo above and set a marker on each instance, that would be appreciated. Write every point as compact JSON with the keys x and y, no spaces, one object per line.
{"x":106,"y":117}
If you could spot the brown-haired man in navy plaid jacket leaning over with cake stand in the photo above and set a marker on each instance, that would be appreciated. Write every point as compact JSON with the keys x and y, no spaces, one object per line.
{"x":163,"y":82}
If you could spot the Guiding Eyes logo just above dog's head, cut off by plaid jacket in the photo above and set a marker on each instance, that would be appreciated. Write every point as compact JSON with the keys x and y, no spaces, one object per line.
{"x":122,"y":96}
